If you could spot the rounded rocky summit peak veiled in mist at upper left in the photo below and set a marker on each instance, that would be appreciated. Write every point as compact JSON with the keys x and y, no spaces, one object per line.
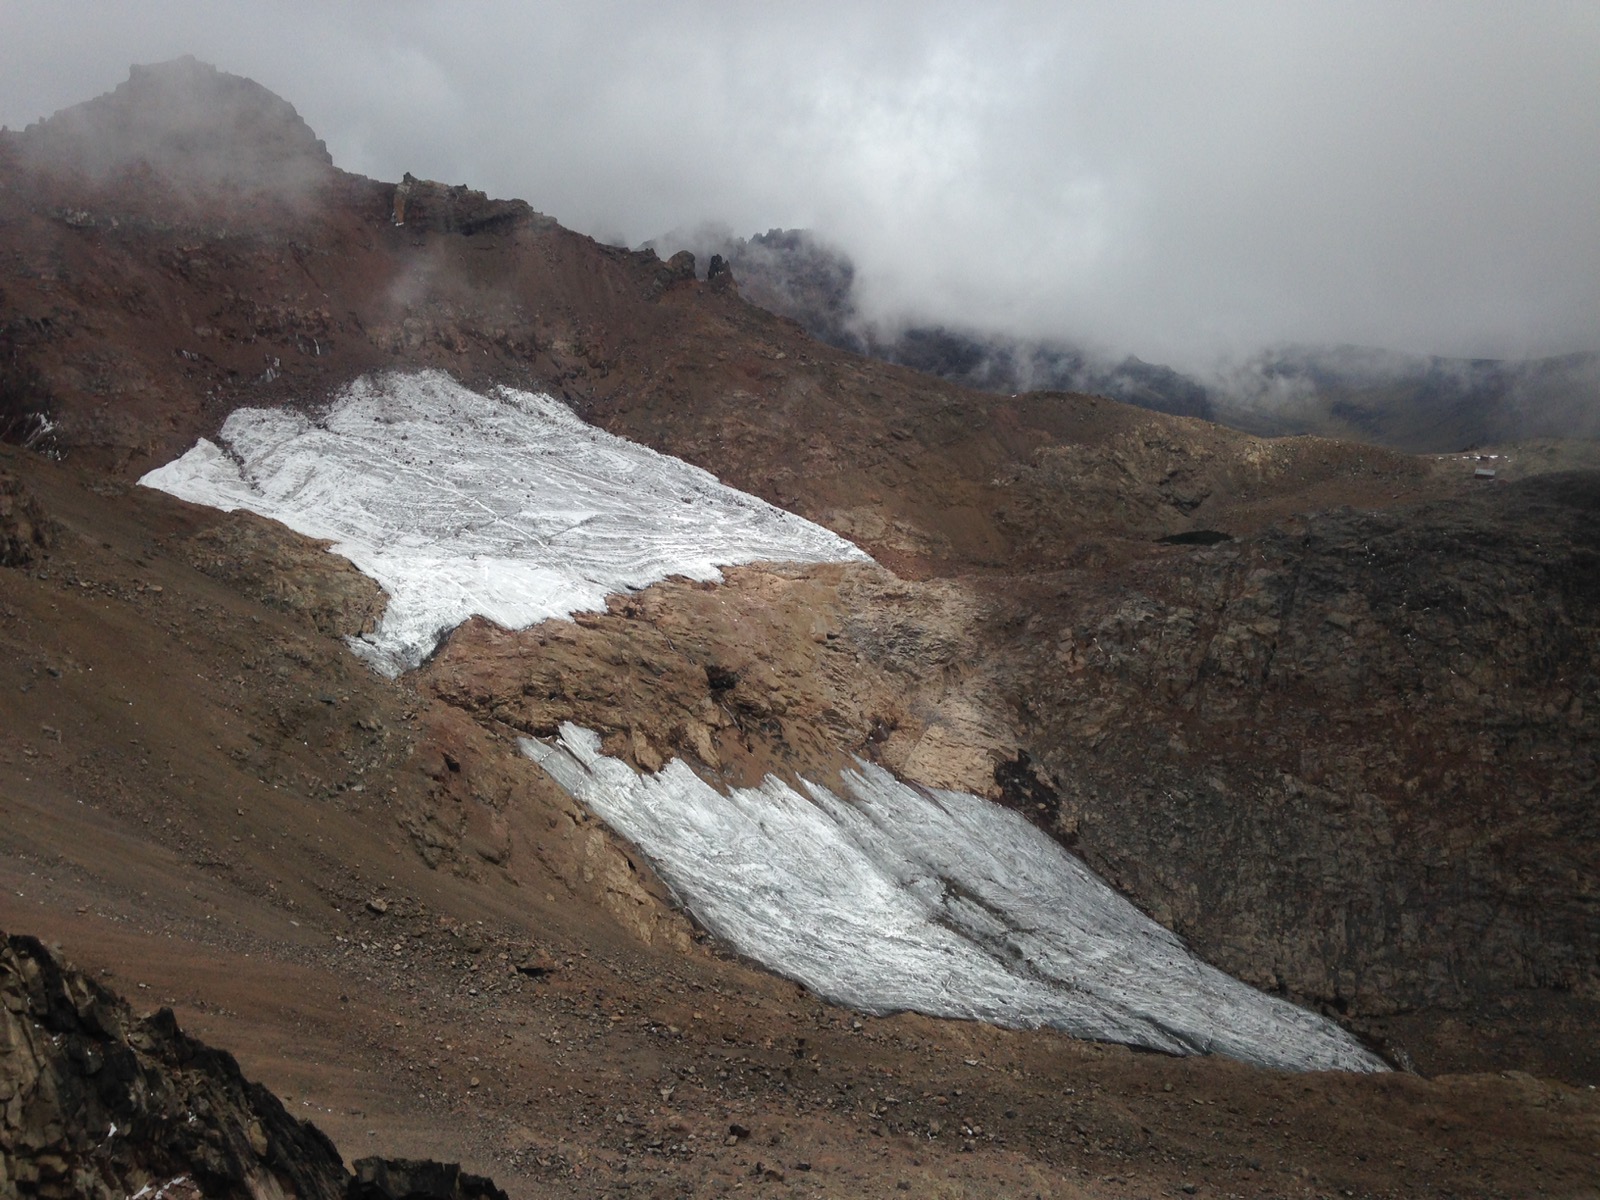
{"x":188,"y":122}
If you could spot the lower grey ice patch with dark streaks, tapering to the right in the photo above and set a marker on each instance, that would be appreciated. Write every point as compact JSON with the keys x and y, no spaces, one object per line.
{"x":895,"y":898}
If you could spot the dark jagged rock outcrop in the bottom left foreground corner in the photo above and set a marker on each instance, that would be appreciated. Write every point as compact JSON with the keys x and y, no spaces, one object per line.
{"x":100,"y":1103}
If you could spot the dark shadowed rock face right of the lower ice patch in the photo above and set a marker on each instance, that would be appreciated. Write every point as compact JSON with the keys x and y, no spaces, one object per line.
{"x":1356,"y":758}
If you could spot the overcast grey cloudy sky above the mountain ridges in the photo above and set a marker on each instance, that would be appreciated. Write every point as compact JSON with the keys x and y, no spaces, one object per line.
{"x":1175,"y":180}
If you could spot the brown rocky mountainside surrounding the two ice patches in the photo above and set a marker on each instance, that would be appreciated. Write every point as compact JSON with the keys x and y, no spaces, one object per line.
{"x":1338,"y":734}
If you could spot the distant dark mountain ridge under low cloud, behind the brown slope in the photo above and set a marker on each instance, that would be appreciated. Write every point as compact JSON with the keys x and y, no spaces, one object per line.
{"x":1410,"y":402}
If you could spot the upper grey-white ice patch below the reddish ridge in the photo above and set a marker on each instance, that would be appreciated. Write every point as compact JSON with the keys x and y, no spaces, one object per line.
{"x":503,"y":506}
